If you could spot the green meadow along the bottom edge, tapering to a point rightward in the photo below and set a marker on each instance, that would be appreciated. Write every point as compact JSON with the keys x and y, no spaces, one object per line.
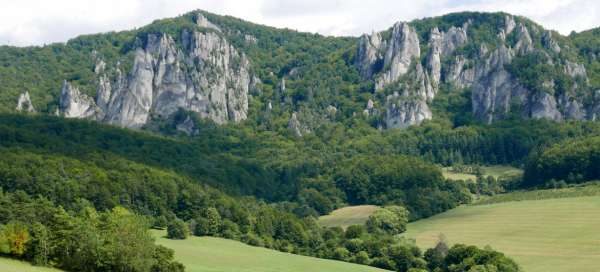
{"x":208,"y":254}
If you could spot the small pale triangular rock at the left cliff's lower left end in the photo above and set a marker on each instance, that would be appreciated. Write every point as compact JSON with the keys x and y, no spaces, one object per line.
{"x":74,"y":104}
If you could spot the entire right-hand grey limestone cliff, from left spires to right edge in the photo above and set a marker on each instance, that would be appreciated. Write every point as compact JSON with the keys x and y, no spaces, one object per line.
{"x":395,"y":66}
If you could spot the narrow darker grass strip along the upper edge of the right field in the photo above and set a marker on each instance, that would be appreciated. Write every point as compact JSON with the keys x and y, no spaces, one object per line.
{"x":589,"y":189}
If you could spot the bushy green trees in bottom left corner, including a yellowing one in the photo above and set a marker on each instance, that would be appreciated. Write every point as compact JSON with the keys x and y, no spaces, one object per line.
{"x":86,"y":240}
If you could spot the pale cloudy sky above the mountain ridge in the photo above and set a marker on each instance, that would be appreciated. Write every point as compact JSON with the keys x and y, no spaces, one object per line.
{"x":38,"y":22}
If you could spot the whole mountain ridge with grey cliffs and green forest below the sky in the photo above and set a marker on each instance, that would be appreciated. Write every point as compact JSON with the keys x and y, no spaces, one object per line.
{"x":444,"y":52}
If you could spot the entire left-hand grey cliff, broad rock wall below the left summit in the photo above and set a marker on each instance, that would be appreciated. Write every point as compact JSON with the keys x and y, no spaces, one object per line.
{"x":205,"y":75}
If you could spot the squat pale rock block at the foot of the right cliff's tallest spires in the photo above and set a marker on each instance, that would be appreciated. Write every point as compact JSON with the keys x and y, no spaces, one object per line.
{"x":402,"y":111}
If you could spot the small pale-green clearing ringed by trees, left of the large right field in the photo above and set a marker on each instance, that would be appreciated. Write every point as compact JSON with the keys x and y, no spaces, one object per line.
{"x":344,"y":217}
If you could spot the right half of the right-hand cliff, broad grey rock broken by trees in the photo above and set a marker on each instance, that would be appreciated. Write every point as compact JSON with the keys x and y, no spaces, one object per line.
{"x":495,"y":92}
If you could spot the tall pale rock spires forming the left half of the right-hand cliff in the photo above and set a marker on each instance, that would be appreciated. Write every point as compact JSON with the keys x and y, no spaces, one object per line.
{"x":396,"y":59}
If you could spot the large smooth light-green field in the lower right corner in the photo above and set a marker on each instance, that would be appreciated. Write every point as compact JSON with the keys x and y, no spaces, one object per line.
{"x":551,"y":235}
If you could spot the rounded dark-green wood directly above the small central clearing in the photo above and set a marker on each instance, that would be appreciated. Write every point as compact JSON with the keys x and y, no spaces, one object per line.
{"x":401,"y":180}
